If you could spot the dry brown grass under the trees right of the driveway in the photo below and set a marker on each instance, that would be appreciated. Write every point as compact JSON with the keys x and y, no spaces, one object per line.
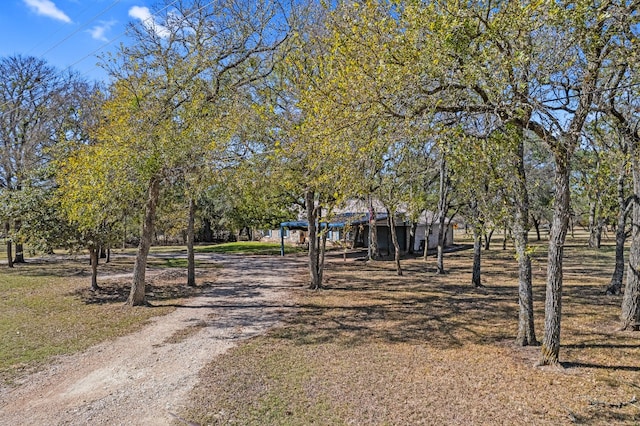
{"x":375,"y":348}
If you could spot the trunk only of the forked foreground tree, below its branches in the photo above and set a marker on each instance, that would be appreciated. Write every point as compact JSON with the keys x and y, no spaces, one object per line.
{"x":553,"y":304}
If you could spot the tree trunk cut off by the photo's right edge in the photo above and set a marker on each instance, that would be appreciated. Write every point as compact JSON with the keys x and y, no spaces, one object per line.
{"x":630,"y":314}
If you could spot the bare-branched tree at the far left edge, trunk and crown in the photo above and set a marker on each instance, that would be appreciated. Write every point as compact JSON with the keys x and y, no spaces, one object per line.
{"x":36,"y":104}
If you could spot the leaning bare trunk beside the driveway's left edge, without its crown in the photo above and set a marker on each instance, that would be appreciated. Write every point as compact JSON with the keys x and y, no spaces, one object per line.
{"x":137,"y":293}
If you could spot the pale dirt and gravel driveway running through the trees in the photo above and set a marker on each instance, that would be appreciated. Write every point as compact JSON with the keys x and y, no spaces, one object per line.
{"x":142,"y":378}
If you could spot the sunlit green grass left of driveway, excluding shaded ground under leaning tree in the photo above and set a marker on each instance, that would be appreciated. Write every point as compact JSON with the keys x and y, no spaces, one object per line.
{"x":39,"y":318}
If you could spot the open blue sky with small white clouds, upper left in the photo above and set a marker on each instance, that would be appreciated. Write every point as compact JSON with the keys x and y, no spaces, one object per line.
{"x":68,"y":33}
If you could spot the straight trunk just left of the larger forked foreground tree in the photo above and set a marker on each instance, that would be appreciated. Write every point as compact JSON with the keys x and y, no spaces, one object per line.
{"x":526,"y":328}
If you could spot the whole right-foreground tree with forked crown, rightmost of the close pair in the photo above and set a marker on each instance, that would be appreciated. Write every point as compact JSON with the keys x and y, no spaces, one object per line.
{"x":590,"y":36}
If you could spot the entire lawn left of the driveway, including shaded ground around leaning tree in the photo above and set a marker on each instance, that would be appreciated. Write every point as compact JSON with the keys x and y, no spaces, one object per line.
{"x":46,"y":308}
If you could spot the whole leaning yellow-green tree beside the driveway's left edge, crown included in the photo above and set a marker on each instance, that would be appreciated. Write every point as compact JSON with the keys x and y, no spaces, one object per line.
{"x":182,"y":78}
